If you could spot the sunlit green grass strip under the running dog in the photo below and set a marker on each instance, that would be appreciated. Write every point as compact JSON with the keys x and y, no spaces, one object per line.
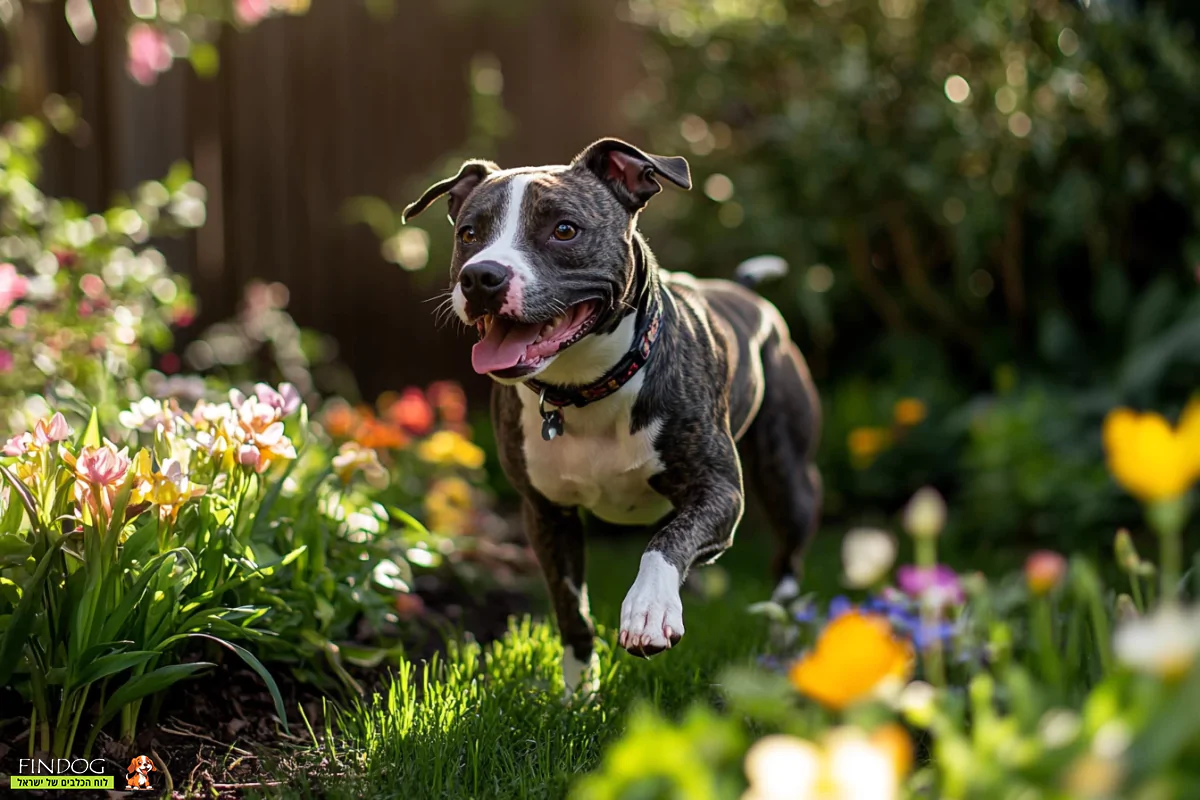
{"x":491,"y":723}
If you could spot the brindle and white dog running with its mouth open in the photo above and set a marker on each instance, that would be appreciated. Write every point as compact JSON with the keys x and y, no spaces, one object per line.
{"x":639,"y":395}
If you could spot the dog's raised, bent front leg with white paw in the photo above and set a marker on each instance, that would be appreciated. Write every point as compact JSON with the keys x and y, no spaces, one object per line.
{"x":709,"y":504}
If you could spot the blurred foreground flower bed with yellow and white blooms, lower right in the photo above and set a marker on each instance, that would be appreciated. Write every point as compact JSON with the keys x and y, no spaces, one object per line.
{"x":1015,"y":688}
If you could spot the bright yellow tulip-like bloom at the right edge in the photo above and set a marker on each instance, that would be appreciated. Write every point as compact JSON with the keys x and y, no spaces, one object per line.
{"x":1148,"y":458}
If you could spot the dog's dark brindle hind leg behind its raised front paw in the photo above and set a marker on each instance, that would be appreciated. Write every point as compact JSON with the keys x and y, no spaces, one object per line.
{"x":778,"y":454}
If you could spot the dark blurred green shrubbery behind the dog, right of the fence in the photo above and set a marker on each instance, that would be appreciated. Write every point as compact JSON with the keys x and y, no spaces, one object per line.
{"x":987,"y":207}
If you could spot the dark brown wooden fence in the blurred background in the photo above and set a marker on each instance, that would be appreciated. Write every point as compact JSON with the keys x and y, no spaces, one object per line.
{"x":309,"y":112}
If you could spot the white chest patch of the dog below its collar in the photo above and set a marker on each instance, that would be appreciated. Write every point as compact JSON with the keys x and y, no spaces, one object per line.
{"x":597,"y":464}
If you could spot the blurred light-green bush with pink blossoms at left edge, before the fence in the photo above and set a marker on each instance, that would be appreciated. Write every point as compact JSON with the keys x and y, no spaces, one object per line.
{"x":85,"y":298}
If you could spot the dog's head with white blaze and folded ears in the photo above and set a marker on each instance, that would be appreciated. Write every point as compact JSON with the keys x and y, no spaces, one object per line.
{"x":543,"y":256}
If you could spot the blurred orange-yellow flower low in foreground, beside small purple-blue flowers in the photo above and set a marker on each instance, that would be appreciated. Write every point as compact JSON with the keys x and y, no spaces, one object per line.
{"x":856,"y":658}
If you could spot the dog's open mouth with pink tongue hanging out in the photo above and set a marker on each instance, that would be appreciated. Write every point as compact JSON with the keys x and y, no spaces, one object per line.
{"x":512,"y":348}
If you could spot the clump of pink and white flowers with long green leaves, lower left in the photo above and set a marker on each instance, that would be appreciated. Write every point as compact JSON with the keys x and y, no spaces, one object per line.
{"x":230,"y":521}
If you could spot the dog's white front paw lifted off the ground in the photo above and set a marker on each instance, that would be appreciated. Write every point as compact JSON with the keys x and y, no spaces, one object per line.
{"x":652,"y":616}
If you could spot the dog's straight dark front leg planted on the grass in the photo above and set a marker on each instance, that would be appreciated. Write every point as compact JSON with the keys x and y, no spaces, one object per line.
{"x":557,"y":538}
